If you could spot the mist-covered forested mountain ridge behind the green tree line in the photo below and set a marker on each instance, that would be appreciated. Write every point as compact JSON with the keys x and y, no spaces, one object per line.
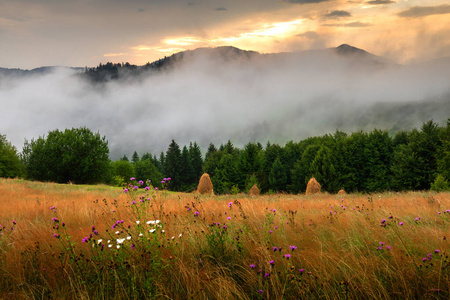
{"x":221,"y":94}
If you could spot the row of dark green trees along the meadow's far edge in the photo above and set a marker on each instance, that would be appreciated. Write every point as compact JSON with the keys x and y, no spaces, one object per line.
{"x":374,"y":161}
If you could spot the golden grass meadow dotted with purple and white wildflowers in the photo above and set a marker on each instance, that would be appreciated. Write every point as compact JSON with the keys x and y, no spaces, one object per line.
{"x":62,"y":241}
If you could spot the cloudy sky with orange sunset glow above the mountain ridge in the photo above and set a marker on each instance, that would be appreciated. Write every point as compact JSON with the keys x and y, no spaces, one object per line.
{"x":80,"y":33}
